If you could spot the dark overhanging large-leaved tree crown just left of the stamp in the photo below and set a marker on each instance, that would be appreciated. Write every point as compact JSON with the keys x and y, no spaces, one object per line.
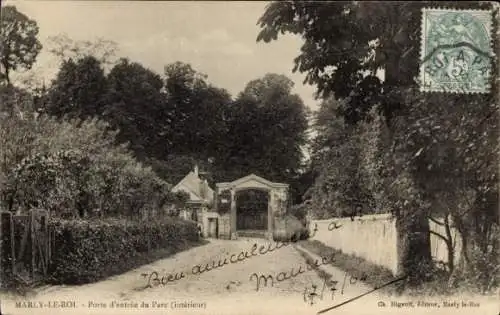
{"x":346,"y":43}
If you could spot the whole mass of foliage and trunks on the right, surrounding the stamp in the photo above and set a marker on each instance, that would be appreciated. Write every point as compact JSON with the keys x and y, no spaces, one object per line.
{"x":424,"y":157}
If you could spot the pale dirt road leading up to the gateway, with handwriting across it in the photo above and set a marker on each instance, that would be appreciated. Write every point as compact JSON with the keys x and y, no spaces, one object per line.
{"x":229,"y":289}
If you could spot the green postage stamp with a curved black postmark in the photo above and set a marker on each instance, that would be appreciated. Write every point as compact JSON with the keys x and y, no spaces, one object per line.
{"x":456,"y":51}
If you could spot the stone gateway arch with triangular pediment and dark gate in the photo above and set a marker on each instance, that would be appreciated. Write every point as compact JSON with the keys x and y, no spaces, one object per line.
{"x":242,"y":208}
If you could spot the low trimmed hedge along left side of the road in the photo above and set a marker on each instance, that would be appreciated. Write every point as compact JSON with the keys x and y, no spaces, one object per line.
{"x":86,"y":251}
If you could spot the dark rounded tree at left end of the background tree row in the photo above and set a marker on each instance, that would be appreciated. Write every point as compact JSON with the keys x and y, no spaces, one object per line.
{"x":78,"y":90}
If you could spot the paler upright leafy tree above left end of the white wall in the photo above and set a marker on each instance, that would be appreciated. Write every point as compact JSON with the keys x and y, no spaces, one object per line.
{"x":339,"y":188}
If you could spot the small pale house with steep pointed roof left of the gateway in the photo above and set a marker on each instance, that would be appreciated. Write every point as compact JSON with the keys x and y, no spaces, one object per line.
{"x":201,"y":196}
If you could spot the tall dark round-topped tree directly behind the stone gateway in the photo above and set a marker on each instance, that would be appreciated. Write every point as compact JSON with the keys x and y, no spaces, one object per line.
{"x":267,"y":129}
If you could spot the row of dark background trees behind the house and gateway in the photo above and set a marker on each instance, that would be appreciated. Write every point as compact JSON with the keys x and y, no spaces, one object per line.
{"x":179,"y":119}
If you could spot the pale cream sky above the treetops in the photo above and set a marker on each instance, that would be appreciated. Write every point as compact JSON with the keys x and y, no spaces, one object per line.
{"x":216,"y":38}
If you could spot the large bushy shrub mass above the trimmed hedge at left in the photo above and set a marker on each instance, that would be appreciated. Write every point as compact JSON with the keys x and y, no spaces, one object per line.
{"x":73,"y":167}
